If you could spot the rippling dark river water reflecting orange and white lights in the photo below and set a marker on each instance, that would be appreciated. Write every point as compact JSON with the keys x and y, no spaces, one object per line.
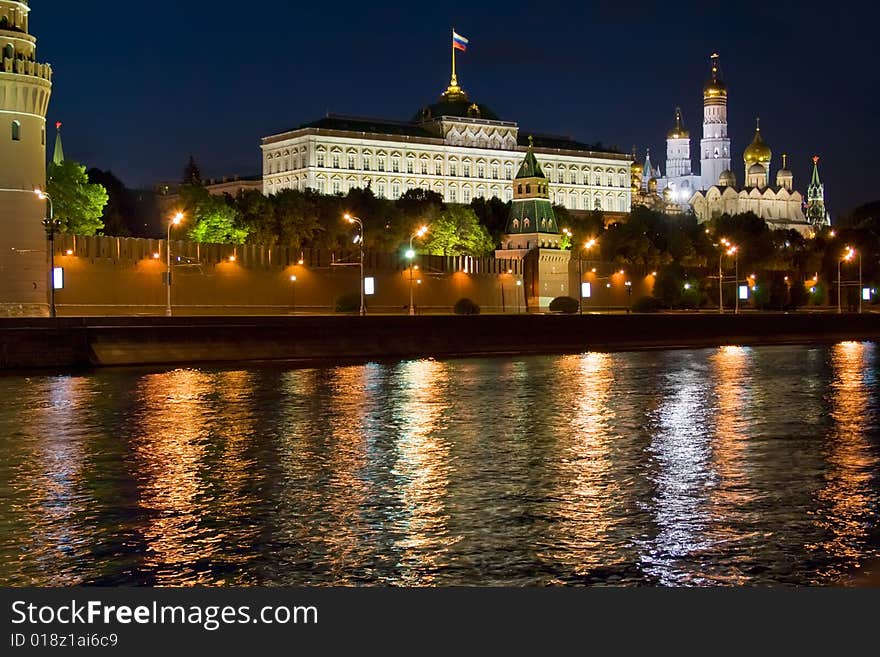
{"x":716,"y":467}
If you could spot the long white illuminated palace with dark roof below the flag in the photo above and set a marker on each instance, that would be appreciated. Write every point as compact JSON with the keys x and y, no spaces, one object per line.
{"x":456,"y":148}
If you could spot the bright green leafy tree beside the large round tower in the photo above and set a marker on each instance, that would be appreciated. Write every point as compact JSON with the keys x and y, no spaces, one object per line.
{"x":78,"y":204}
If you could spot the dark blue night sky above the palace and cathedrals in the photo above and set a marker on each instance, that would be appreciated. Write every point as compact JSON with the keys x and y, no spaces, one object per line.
{"x":141,"y":85}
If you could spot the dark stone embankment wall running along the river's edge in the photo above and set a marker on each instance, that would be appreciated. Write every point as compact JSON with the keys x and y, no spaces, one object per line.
{"x":125,"y":341}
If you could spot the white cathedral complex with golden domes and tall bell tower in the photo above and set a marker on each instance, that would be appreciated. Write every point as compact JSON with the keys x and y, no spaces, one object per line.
{"x":715,"y":190}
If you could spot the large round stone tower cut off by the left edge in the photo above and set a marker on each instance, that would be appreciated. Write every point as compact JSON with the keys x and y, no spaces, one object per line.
{"x":25,"y":88}
